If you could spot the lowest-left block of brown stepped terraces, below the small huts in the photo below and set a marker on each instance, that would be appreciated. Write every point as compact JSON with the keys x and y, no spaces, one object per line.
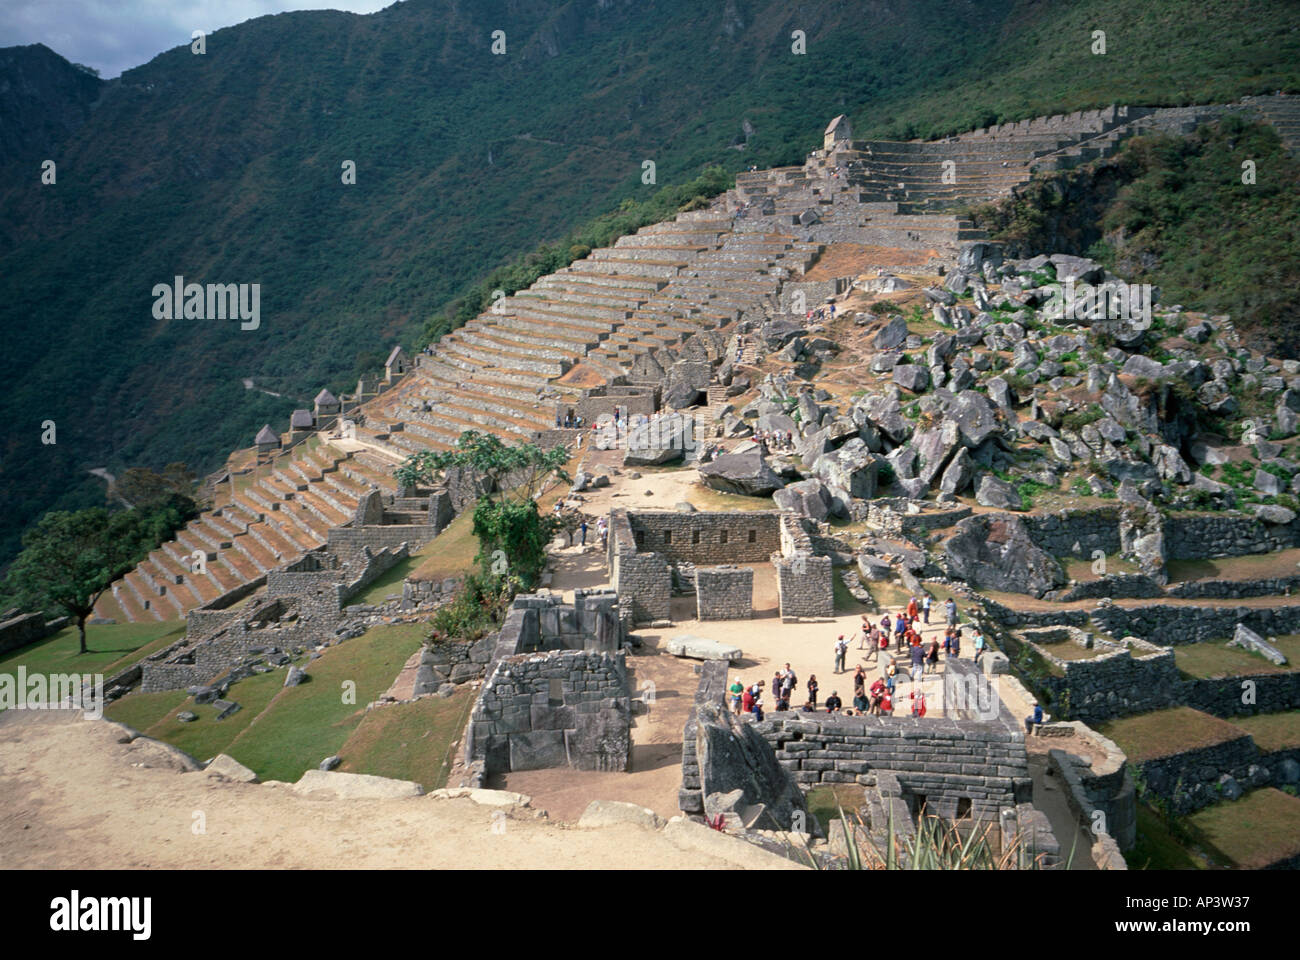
{"x":262,"y":520}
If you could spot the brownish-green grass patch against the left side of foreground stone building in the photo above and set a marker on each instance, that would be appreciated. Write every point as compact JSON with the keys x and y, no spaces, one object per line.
{"x":409,"y":742}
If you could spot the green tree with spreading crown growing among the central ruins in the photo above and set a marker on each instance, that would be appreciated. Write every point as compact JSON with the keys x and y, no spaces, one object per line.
{"x":513,"y":534}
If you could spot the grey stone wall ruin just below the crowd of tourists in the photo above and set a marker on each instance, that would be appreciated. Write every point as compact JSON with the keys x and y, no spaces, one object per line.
{"x":963,"y":767}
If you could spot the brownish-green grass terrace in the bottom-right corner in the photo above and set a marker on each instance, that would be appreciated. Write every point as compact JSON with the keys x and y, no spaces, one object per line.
{"x":1253,"y":832}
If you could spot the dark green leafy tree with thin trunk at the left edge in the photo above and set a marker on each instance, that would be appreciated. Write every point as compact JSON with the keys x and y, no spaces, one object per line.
{"x":71,"y":559}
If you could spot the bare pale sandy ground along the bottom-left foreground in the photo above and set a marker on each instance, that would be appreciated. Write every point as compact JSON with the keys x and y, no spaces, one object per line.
{"x":76,"y":799}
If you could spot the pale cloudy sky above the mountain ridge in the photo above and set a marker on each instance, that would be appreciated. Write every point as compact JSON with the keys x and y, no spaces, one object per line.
{"x":115,"y":36}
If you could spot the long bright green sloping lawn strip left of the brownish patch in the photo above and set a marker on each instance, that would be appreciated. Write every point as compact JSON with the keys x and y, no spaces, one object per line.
{"x":304,"y":725}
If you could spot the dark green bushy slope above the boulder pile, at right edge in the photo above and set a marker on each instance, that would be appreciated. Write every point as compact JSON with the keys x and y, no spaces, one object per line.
{"x":1181,"y":219}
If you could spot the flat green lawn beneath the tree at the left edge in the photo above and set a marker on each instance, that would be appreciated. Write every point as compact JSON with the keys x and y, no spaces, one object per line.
{"x":110,"y":648}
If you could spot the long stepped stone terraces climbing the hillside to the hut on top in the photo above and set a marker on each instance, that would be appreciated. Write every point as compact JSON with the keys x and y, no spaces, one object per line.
{"x":584,"y":326}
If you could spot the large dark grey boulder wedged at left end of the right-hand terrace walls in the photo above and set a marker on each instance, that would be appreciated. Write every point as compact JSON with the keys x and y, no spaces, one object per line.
{"x":995,"y":552}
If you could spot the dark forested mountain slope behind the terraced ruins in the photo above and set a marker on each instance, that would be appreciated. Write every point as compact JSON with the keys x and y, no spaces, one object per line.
{"x":227,"y":168}
